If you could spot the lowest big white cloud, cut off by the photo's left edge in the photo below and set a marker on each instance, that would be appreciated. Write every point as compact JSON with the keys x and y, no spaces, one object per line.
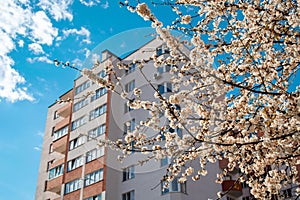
{"x":10,"y":81}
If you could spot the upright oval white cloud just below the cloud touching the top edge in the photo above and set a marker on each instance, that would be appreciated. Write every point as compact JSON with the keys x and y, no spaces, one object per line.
{"x":42,"y":29}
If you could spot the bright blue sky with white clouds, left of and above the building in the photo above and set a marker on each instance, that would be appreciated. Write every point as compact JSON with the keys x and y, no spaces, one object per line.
{"x":32,"y":34}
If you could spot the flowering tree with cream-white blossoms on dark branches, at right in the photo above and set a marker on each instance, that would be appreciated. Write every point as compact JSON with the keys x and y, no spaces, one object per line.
{"x":233,"y":94}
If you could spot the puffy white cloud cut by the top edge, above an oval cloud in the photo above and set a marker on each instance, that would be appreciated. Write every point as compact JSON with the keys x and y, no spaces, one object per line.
{"x":57,"y":8}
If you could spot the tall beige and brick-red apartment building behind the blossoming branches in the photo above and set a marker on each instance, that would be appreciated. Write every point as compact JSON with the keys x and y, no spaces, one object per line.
{"x":74,"y":167}
